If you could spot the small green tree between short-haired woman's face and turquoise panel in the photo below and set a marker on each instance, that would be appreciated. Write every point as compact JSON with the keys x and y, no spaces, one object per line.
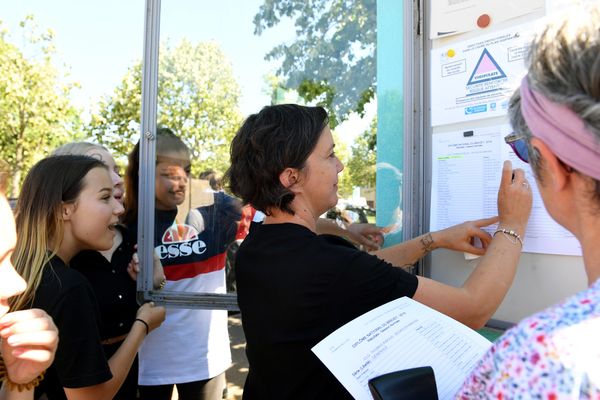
{"x":362,"y":163}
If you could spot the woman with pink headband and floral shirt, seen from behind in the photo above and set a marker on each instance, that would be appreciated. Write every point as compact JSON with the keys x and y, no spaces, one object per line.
{"x":555,"y":115}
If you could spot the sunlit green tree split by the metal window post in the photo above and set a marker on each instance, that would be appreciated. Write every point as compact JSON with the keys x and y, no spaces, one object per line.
{"x":197,"y":98}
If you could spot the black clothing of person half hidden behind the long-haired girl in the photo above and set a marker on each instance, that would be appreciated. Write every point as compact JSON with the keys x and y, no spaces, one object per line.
{"x":116,"y":294}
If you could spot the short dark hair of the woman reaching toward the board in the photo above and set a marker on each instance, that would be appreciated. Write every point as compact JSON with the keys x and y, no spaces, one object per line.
{"x":278,"y":137}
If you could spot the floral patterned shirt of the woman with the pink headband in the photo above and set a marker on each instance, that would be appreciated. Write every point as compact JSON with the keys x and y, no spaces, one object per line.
{"x":554,"y":354}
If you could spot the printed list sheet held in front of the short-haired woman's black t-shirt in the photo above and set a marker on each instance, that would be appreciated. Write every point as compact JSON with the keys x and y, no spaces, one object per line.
{"x":399,"y":335}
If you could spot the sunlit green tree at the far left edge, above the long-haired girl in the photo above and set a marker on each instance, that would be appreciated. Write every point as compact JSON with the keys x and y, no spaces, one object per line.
{"x":36,"y":114}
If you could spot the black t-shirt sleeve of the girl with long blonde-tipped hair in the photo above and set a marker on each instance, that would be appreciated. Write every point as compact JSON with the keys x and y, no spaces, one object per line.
{"x":80,"y":359}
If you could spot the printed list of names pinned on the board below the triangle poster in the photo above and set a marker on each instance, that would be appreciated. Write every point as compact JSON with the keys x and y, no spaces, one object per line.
{"x":466,"y":173}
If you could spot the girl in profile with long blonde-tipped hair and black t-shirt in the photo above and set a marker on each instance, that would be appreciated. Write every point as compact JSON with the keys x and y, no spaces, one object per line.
{"x":66,"y":206}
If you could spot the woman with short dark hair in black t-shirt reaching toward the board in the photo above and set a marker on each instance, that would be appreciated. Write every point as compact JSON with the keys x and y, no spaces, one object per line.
{"x":295,"y":287}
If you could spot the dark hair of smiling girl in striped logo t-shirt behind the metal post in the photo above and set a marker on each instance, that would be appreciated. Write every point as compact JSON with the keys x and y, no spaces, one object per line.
{"x":167,"y":142}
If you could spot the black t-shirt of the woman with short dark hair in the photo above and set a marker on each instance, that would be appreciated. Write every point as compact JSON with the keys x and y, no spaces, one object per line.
{"x":294,"y":289}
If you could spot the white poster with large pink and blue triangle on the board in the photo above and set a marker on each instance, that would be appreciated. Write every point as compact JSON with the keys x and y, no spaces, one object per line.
{"x":474,"y":79}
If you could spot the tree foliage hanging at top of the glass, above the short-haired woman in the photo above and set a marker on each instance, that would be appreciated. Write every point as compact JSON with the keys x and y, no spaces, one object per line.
{"x":332,"y":61}
